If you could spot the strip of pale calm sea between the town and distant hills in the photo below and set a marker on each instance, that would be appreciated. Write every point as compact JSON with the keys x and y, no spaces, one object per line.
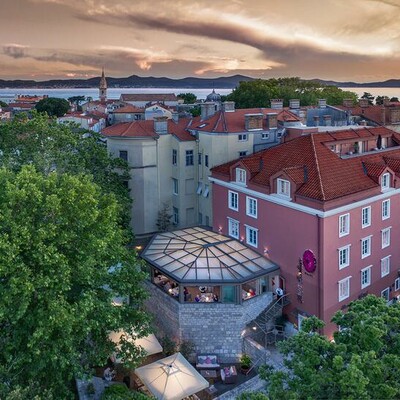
{"x":7,"y":95}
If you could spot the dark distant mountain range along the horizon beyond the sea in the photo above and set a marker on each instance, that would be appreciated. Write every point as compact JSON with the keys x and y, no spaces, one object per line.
{"x":135,"y":81}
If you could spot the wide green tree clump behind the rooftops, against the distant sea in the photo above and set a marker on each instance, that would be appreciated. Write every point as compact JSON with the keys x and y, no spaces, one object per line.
{"x":260,"y":92}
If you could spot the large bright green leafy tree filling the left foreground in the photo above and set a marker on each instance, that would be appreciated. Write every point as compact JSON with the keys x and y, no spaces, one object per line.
{"x":63,"y":258}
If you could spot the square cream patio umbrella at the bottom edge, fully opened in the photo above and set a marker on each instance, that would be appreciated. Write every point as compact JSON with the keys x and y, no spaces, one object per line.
{"x":171,"y":378}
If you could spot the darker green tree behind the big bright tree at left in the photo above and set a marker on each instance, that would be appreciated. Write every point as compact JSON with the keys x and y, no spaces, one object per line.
{"x":64,"y":148}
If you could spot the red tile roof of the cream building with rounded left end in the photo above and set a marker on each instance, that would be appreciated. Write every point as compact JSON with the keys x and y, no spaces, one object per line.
{"x":140,"y":129}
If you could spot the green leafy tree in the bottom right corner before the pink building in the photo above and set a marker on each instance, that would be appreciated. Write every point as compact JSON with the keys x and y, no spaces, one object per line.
{"x":363,"y":361}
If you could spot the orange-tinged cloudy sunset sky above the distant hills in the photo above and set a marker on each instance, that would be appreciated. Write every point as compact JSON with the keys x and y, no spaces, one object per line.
{"x":341,"y":40}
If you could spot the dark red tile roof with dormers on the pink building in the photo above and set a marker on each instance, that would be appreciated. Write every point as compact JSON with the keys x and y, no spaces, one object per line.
{"x":318,"y":172}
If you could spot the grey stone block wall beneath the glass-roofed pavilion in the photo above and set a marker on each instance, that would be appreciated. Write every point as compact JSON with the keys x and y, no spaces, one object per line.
{"x":213,"y":327}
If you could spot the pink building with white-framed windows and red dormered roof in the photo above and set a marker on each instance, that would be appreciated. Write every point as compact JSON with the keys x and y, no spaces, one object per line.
{"x":323,"y":207}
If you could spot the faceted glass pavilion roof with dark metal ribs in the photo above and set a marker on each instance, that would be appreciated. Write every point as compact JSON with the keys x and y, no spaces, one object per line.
{"x":197,"y":255}
